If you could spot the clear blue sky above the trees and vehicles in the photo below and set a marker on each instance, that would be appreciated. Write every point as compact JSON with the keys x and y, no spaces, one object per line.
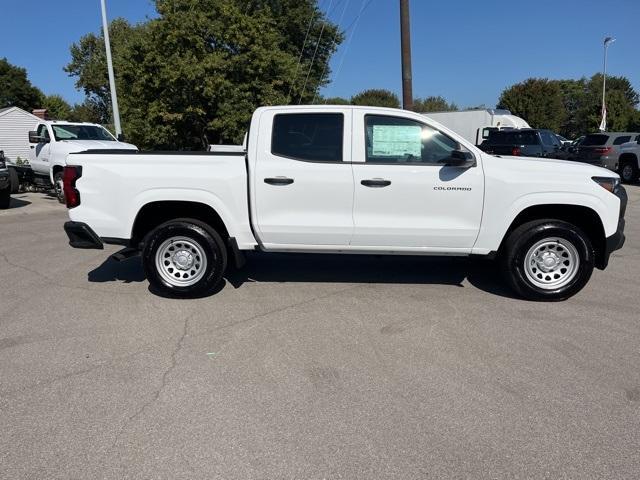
{"x":465,"y":50}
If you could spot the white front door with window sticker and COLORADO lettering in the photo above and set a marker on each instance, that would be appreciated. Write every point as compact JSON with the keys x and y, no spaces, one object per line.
{"x":404,"y":195}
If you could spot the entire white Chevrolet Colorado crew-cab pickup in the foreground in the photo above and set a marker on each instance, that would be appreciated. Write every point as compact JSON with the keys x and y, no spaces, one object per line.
{"x":348,"y":180}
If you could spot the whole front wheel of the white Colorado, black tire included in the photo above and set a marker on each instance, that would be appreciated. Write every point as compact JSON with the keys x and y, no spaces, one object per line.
{"x":525,"y":237}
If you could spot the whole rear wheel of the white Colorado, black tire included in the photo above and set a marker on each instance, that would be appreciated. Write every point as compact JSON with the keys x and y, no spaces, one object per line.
{"x":203,"y":238}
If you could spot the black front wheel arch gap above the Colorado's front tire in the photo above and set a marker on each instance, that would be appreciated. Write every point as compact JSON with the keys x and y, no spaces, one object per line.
{"x":585,"y":218}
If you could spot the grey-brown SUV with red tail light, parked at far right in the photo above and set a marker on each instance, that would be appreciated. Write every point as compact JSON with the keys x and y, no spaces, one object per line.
{"x":603,"y":149}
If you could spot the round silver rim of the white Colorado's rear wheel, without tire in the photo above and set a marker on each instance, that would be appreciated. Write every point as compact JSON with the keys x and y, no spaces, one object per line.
{"x":181,"y":261}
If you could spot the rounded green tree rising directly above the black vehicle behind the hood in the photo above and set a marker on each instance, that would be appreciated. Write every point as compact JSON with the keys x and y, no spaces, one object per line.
{"x":538,"y":100}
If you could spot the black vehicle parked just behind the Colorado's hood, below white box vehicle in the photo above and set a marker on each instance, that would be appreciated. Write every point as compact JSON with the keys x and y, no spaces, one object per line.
{"x":527,"y":142}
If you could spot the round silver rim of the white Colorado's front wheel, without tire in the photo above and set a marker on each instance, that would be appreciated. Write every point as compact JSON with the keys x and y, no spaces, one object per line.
{"x":552,"y":263}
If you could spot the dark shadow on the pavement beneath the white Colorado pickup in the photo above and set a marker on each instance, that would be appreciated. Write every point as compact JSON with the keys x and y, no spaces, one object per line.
{"x":315,"y":268}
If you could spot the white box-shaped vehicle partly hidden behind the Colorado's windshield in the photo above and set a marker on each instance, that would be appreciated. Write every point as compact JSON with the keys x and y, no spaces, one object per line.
{"x":474,"y":125}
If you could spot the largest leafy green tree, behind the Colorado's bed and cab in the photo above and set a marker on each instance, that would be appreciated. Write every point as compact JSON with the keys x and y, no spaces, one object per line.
{"x":194,"y":75}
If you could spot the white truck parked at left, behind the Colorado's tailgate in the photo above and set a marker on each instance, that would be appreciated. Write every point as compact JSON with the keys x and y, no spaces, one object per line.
{"x":52,"y":141}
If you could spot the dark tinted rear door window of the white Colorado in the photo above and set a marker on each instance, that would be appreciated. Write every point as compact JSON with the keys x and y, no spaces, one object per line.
{"x":312,"y":137}
